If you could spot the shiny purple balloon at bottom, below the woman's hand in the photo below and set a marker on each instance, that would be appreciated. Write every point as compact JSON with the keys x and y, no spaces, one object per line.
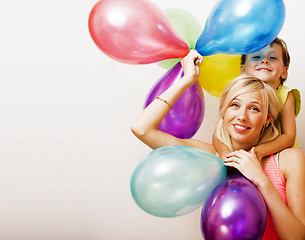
{"x":235,"y":209}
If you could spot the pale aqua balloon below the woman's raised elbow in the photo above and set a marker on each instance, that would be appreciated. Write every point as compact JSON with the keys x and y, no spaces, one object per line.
{"x":175,"y":180}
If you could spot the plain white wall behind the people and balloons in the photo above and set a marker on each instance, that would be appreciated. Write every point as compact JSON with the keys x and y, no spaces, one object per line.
{"x":66,"y":150}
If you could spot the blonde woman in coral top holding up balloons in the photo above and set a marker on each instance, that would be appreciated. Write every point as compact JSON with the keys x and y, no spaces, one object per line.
{"x":247,"y":110}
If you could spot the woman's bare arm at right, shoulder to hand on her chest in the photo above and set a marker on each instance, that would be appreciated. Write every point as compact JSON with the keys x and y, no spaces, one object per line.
{"x":288,"y":220}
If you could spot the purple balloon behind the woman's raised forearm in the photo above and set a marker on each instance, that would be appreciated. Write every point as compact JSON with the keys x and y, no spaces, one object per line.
{"x":186,"y":116}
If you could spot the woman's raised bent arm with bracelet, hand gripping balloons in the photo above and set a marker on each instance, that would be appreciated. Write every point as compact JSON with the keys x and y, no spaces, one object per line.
{"x":146,"y":125}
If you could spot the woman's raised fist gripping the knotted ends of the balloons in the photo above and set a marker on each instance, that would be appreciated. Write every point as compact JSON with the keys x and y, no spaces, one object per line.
{"x":190,"y":65}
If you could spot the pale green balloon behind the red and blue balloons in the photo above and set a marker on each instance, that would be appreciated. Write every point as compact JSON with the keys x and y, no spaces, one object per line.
{"x":188,"y":28}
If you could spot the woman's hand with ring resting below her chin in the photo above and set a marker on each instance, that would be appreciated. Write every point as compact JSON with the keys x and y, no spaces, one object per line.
{"x":247,"y":164}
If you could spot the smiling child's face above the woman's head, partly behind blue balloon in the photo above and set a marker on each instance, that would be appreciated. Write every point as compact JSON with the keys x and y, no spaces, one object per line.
{"x":267,"y":65}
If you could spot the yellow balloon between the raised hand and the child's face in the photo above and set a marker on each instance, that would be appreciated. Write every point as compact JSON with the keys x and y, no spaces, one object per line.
{"x":217,"y":71}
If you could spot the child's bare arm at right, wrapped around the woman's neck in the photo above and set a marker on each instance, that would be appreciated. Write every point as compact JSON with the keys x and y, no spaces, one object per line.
{"x":288,"y":135}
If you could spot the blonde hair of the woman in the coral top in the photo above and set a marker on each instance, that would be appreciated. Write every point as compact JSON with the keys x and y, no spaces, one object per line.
{"x":244,"y":84}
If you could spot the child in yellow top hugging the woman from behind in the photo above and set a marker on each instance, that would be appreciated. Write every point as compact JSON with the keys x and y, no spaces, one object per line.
{"x":271,"y":66}
